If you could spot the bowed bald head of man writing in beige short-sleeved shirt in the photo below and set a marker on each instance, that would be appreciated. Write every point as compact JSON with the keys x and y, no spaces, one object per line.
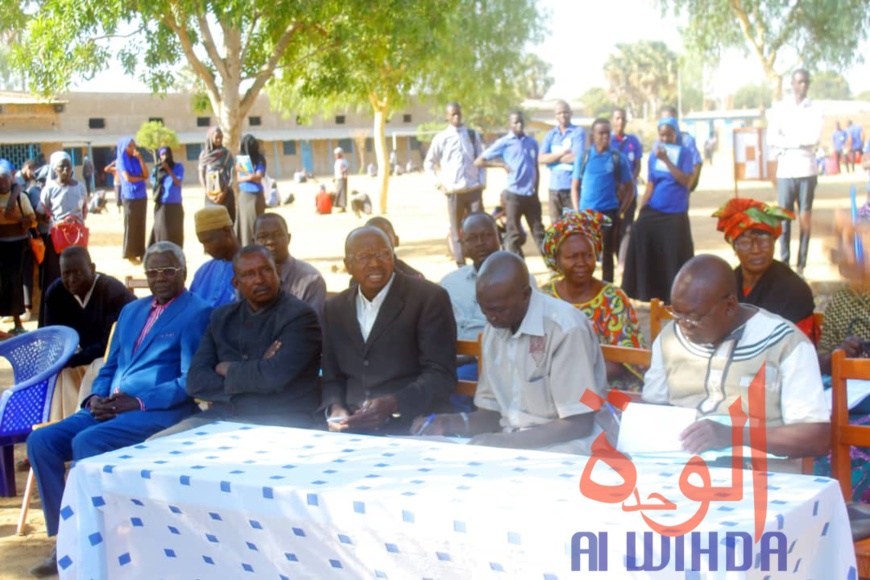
{"x":503,"y":290}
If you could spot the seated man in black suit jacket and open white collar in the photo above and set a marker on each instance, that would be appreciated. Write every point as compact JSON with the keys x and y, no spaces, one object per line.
{"x":389,"y":351}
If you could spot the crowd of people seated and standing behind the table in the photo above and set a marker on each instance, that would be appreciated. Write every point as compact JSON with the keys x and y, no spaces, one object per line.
{"x":255,"y":338}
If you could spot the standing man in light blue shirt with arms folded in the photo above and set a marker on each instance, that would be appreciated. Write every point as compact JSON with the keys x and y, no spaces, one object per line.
{"x":561,"y":146}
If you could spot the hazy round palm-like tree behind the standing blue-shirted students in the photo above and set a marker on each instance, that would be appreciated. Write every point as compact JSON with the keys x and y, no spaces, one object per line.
{"x":642,"y":76}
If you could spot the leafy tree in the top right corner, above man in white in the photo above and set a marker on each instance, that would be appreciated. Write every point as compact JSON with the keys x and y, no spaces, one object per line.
{"x":815,"y":32}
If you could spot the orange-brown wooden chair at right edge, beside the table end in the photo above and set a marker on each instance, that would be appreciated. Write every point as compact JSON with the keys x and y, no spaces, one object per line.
{"x":844,"y":436}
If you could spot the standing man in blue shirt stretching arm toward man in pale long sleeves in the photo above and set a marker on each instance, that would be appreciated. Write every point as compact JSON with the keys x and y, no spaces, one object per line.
{"x":519,"y":157}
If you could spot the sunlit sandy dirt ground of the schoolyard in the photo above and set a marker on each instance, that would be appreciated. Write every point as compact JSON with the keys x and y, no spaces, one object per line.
{"x":419,"y":215}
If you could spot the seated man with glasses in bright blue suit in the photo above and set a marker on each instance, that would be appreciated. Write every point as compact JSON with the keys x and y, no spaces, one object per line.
{"x":140,"y":390}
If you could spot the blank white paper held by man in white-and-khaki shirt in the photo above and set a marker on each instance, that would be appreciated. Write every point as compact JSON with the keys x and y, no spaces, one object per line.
{"x":653,"y":428}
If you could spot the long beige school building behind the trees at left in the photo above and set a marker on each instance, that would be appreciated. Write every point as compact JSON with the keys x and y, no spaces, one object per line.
{"x":92,"y":123}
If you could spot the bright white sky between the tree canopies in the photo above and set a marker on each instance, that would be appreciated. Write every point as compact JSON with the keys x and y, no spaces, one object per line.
{"x":582,"y":34}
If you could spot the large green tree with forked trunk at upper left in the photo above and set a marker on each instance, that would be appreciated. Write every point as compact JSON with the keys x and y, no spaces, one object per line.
{"x":233,"y":48}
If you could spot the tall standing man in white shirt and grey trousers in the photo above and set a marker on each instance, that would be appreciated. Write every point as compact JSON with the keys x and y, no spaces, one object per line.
{"x":793,"y":133}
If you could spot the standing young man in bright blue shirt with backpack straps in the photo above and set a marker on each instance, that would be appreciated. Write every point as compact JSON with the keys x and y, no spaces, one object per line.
{"x":602,"y":181}
